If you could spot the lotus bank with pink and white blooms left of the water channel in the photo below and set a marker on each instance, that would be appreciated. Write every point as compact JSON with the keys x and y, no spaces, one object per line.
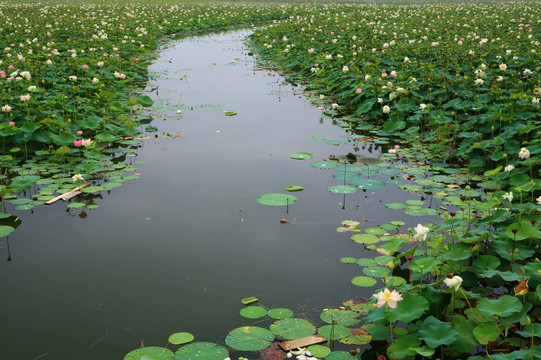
{"x":72,"y":108}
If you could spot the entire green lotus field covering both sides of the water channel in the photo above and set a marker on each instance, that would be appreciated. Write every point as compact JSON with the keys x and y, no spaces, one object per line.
{"x":458,"y":87}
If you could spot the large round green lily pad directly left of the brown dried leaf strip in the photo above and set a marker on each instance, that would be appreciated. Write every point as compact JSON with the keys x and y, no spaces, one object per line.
{"x":249,"y":338}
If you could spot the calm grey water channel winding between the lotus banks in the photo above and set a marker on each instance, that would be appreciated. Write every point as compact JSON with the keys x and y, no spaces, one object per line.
{"x":179,"y":248}
